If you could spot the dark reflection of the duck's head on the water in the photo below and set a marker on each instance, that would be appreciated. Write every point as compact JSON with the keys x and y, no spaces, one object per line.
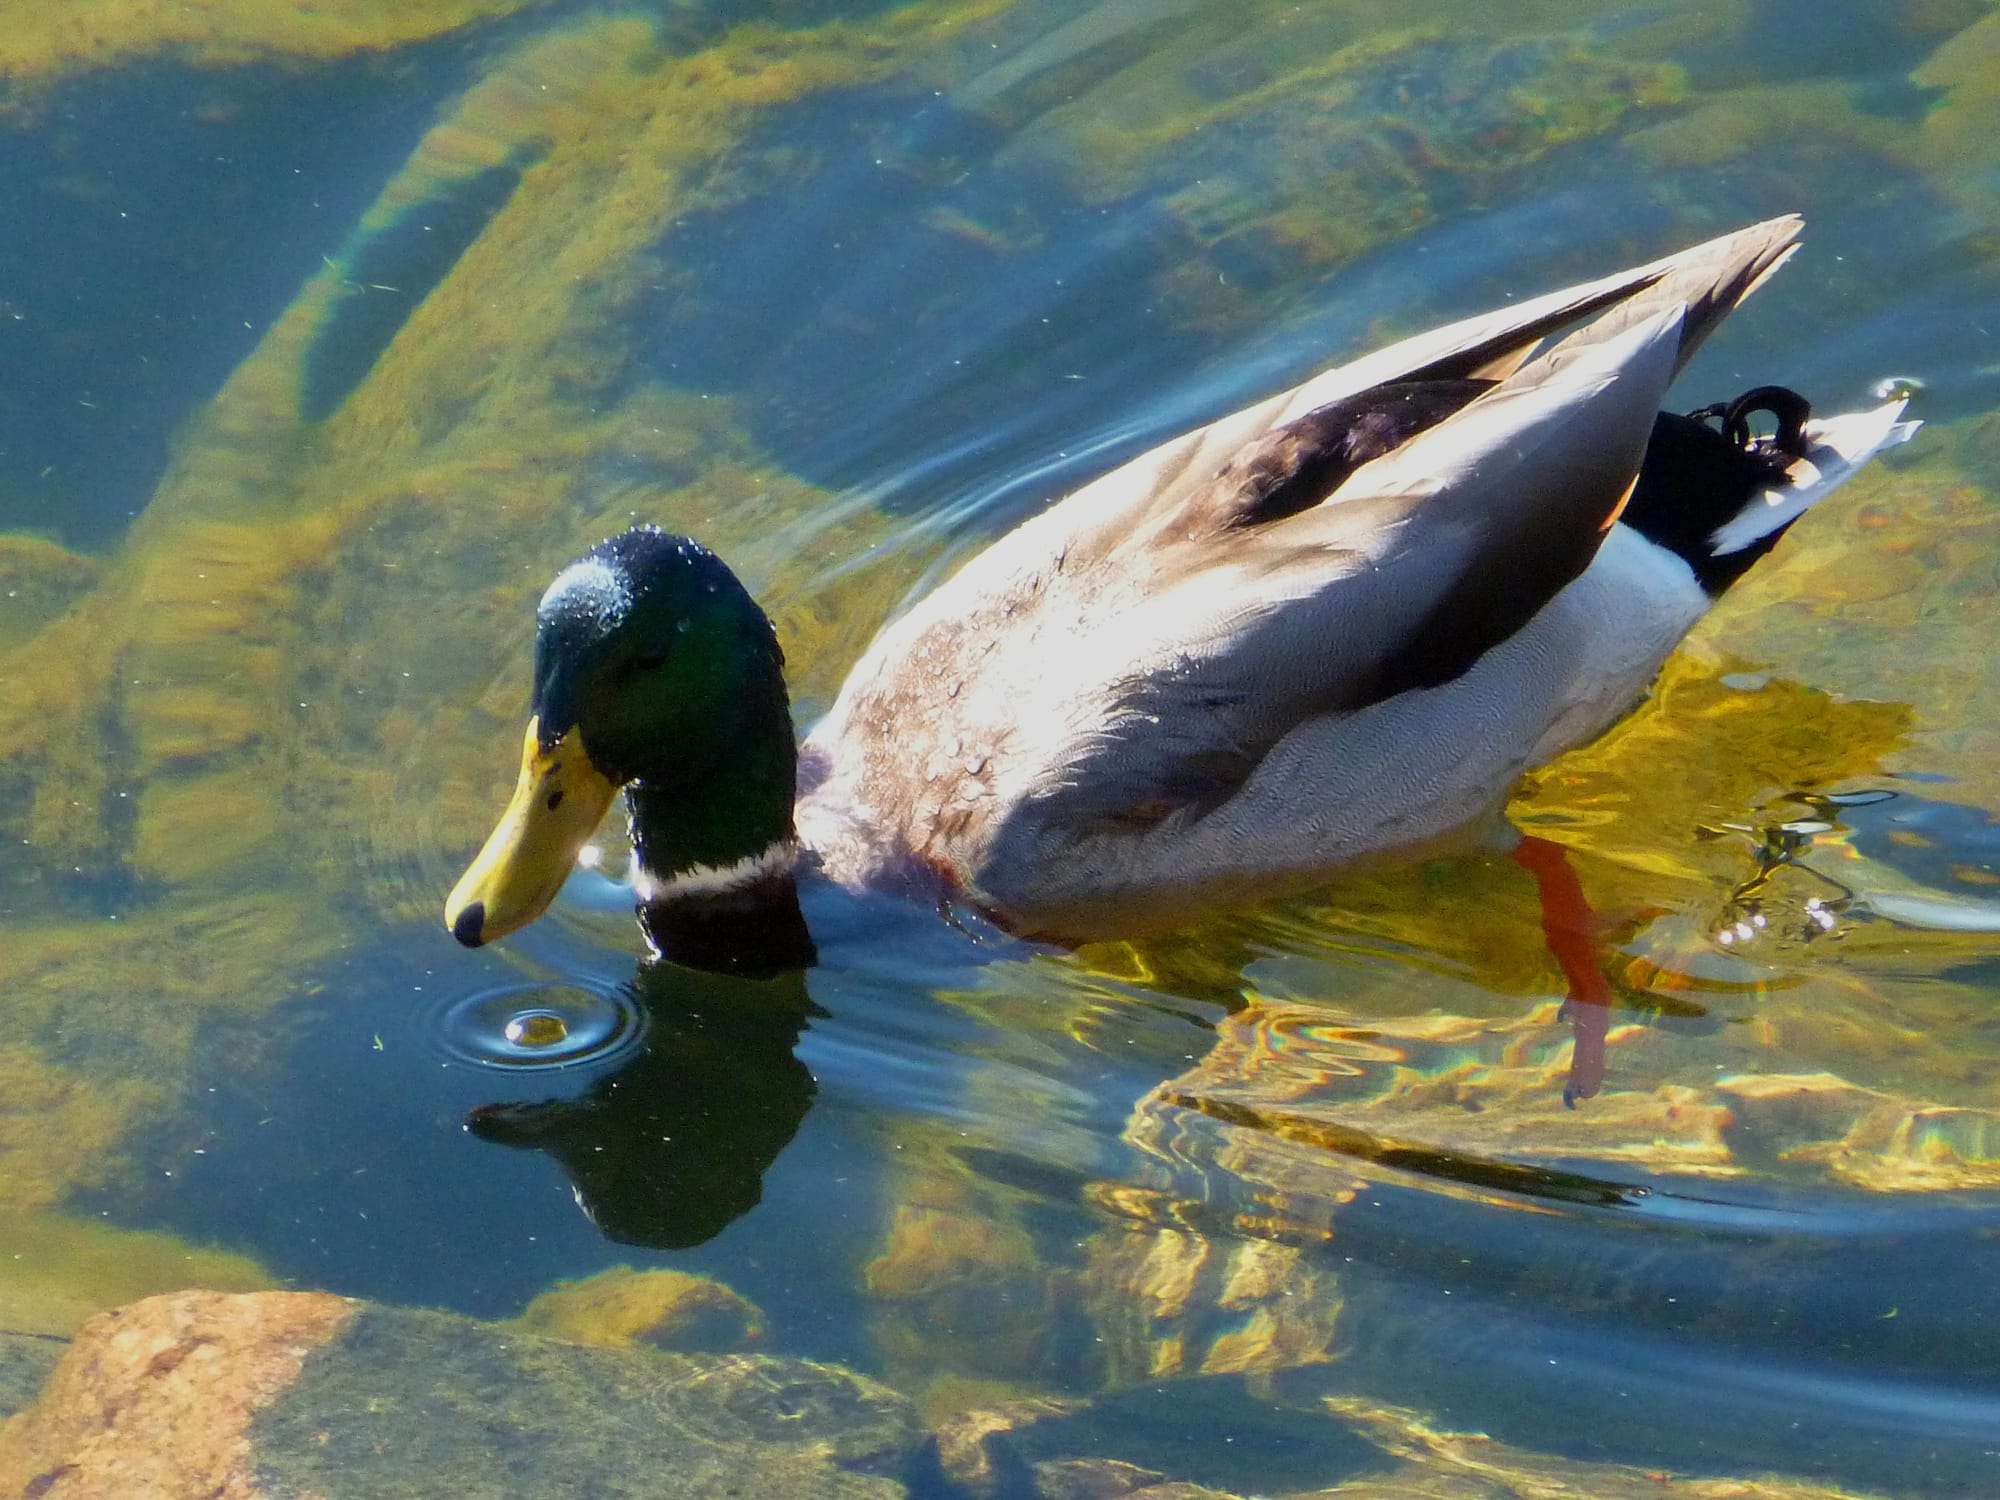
{"x":673,"y":1147}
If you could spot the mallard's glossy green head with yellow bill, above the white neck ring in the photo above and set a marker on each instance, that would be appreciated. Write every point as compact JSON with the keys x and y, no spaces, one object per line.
{"x":657,"y":671}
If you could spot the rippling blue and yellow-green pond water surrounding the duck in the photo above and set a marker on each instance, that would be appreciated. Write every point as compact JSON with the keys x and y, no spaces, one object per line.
{"x":319,"y":367}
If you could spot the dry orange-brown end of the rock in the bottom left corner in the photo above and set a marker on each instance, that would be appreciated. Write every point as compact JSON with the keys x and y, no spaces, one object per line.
{"x":157,"y":1399}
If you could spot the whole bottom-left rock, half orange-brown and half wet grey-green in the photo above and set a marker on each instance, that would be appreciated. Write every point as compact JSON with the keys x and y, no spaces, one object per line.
{"x":313,"y":1395}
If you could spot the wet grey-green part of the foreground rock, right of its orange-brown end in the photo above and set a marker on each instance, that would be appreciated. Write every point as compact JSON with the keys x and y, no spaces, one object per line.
{"x":491,"y":1411}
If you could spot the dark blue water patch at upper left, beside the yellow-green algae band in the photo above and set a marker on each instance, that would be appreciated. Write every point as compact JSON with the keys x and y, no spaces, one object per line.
{"x":159,"y":221}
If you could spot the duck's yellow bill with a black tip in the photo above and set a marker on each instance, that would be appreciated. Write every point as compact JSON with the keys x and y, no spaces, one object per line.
{"x":557,"y":807}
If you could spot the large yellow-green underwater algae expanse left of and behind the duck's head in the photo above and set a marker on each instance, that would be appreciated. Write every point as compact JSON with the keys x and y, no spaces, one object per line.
{"x":287,"y":659}
